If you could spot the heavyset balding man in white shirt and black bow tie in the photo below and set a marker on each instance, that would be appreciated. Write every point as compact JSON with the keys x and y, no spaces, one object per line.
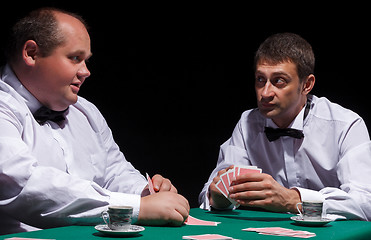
{"x":59,"y":164}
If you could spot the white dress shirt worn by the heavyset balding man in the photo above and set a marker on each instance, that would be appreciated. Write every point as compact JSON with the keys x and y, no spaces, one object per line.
{"x":55,"y":175}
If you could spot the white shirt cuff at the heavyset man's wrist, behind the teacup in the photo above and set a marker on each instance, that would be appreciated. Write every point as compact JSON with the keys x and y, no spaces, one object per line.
{"x":124,"y":199}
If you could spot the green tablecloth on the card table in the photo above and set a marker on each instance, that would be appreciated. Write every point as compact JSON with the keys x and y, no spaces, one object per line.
{"x":231,"y":224}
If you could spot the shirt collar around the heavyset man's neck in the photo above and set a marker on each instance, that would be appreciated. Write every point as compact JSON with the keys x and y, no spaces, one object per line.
{"x":11,"y":79}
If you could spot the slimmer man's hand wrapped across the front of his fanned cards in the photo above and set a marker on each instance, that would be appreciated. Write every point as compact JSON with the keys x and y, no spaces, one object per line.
{"x":261,"y":190}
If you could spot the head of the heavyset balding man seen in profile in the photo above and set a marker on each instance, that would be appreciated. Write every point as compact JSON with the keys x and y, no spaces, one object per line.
{"x":49,"y":60}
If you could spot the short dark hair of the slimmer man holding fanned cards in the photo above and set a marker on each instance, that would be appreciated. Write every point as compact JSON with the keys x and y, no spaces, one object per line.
{"x":287,"y":47}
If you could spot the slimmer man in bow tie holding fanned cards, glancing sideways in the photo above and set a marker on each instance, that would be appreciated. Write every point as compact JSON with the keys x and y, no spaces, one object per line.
{"x":328,"y":157}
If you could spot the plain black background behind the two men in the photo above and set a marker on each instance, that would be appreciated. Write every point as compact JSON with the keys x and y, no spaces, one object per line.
{"x":172,"y":79}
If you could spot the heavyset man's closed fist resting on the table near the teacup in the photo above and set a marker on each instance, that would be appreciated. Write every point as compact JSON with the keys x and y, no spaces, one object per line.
{"x":163,"y":208}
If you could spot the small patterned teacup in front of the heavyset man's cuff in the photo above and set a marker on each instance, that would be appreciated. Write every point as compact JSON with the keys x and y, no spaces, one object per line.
{"x":118,"y":217}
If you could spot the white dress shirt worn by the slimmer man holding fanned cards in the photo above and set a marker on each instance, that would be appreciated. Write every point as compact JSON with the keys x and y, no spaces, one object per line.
{"x":331,"y":163}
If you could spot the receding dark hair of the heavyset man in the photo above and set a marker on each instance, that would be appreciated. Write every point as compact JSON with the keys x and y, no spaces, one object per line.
{"x":40,"y":26}
